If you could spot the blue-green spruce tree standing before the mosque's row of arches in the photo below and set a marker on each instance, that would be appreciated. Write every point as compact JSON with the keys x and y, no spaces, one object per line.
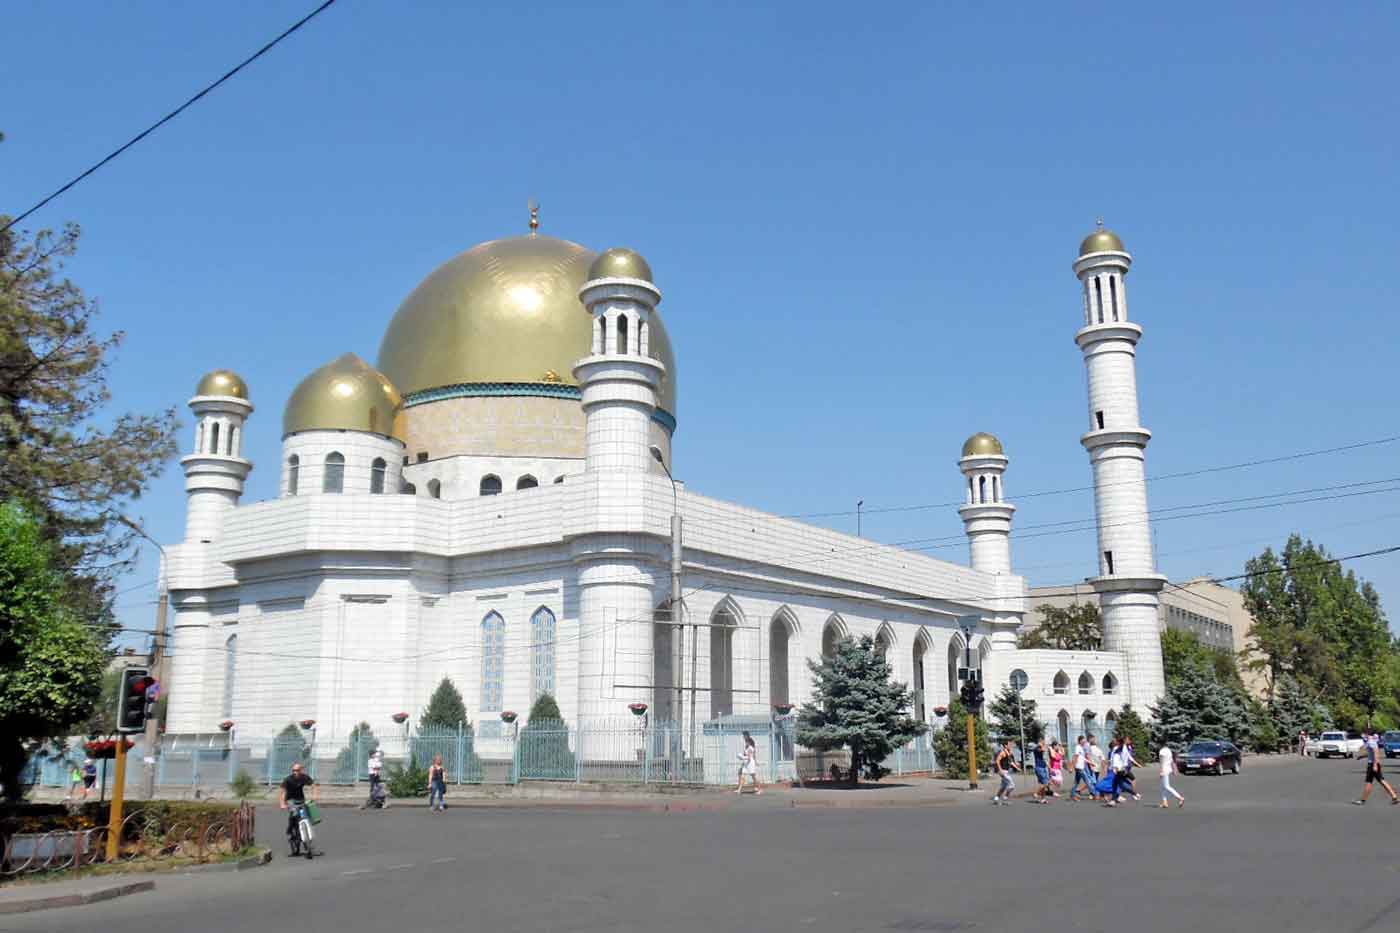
{"x":856,"y":705}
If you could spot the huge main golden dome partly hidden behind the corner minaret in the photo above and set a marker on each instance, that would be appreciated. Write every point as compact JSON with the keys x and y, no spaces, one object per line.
{"x":505,"y":312}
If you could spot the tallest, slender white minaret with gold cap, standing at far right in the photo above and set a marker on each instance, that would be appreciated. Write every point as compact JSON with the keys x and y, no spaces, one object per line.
{"x":1128,"y":582}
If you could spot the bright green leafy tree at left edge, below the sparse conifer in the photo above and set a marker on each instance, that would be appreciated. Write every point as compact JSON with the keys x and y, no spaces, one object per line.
{"x":51,"y":661}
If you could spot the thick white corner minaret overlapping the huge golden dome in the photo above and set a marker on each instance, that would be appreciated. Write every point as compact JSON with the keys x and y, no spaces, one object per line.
{"x":618,"y":579}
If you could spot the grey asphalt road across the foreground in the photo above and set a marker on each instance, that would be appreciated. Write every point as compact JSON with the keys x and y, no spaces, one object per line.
{"x":1275,"y":850}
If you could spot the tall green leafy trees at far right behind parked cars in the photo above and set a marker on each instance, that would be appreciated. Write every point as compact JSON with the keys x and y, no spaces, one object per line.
{"x":1319,"y":626}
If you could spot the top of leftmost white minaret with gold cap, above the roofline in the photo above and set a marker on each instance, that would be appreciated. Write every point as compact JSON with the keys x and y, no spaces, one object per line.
{"x":216,"y":471}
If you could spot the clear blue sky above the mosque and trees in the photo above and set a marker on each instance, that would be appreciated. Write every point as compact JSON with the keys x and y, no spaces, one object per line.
{"x":863,"y":219}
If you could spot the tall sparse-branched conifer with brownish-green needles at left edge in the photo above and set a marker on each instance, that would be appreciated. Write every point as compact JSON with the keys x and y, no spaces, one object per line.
{"x":62,"y":453}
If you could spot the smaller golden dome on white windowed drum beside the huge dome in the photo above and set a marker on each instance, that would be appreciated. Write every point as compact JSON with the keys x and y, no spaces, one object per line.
{"x":346,"y":394}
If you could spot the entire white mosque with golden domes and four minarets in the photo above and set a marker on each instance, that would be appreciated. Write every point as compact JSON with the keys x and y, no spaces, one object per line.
{"x":492,"y":502}
